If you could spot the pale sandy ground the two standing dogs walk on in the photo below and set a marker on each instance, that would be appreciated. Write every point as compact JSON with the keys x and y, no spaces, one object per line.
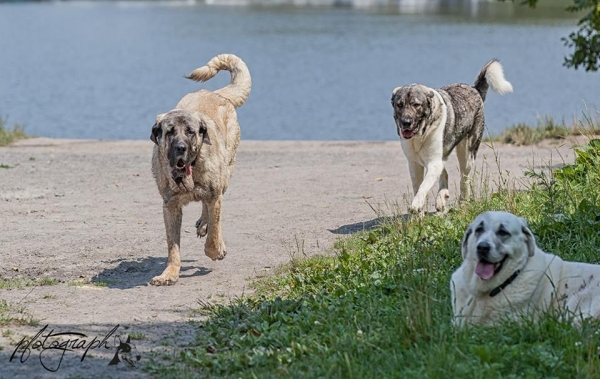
{"x":75,"y":210}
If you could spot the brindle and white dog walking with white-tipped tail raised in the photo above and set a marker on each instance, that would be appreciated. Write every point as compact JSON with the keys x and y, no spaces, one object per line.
{"x":431,"y":123}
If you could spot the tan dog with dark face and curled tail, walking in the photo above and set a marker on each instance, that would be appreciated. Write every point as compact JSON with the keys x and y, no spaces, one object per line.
{"x":193,"y":158}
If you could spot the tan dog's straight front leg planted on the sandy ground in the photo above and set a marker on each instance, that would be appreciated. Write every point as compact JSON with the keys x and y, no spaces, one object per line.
{"x":172,"y":215}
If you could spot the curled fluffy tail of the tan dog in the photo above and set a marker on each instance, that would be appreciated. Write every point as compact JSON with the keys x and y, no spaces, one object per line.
{"x":240,"y":85}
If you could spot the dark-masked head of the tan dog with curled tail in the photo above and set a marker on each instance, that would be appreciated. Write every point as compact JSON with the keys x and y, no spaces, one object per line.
{"x":180,"y":134}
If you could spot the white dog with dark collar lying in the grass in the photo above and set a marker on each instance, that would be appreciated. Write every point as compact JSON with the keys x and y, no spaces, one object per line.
{"x":504,"y":274}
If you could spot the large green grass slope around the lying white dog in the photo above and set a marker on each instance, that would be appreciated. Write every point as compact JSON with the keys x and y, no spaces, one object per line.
{"x":380,"y":306}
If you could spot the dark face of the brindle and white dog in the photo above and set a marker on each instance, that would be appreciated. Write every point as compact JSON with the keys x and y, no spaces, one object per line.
{"x":412,"y":109}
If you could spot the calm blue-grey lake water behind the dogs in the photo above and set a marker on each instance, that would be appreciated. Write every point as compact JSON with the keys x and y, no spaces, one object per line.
{"x":105,"y":69}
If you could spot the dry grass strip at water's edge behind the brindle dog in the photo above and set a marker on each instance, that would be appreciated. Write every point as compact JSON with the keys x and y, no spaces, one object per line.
{"x":547,"y":128}
